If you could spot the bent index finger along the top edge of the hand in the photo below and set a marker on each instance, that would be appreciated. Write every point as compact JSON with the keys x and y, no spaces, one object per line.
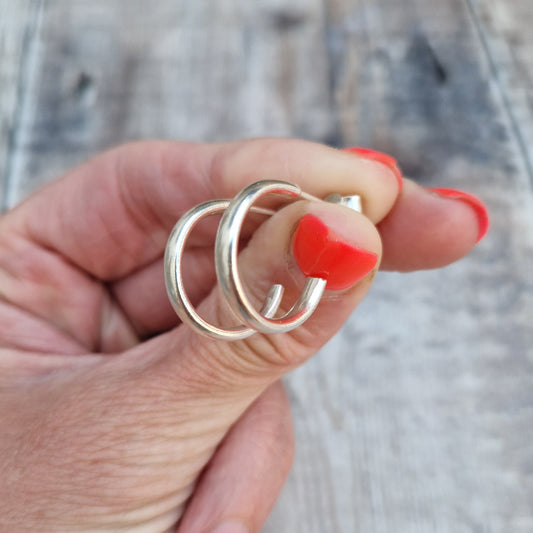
{"x":111,"y":216}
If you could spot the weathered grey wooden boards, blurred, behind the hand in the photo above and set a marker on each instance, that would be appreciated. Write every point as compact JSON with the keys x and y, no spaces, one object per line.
{"x":418,"y":417}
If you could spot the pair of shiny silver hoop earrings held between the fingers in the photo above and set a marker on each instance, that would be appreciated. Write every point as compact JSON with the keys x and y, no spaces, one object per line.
{"x":227,"y":271}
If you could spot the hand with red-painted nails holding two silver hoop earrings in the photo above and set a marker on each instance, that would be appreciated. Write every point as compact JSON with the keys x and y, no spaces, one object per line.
{"x":111,"y":410}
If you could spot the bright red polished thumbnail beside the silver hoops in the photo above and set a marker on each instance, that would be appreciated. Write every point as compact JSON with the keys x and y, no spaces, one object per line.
{"x":321,"y":253}
